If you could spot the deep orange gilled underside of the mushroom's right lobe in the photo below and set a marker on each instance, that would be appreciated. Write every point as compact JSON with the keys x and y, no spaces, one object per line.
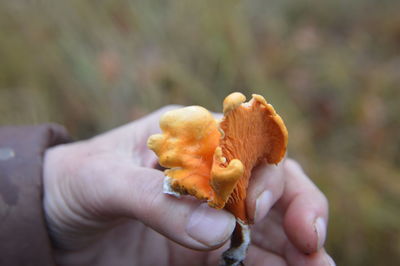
{"x":253,"y":133}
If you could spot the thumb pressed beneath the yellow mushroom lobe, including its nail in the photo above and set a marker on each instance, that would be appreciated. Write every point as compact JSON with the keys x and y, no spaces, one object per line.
{"x":137,"y":193}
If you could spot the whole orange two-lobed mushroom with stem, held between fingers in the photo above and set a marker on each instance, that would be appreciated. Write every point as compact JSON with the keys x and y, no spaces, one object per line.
{"x":213,"y":160}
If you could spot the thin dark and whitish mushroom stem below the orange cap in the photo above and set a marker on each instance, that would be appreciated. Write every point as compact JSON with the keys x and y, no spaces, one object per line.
{"x":240,"y":241}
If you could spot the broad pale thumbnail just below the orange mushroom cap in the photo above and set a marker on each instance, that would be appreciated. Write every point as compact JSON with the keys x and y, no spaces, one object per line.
{"x":209,"y":226}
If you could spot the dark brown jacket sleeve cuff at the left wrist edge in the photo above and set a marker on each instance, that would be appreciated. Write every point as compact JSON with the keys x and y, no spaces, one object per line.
{"x":23,"y":236}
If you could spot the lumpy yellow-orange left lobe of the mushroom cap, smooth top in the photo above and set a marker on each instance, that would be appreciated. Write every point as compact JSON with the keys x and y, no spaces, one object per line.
{"x":187,"y":145}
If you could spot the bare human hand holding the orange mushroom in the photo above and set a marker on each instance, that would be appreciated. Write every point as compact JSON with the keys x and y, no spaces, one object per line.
{"x":104,"y":205}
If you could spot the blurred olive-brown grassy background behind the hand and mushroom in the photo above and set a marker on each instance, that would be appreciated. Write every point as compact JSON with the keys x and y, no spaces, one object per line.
{"x":330,"y":68}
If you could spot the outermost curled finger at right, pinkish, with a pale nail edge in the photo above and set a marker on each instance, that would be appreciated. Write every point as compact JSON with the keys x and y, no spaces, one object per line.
{"x":305,"y":209}
